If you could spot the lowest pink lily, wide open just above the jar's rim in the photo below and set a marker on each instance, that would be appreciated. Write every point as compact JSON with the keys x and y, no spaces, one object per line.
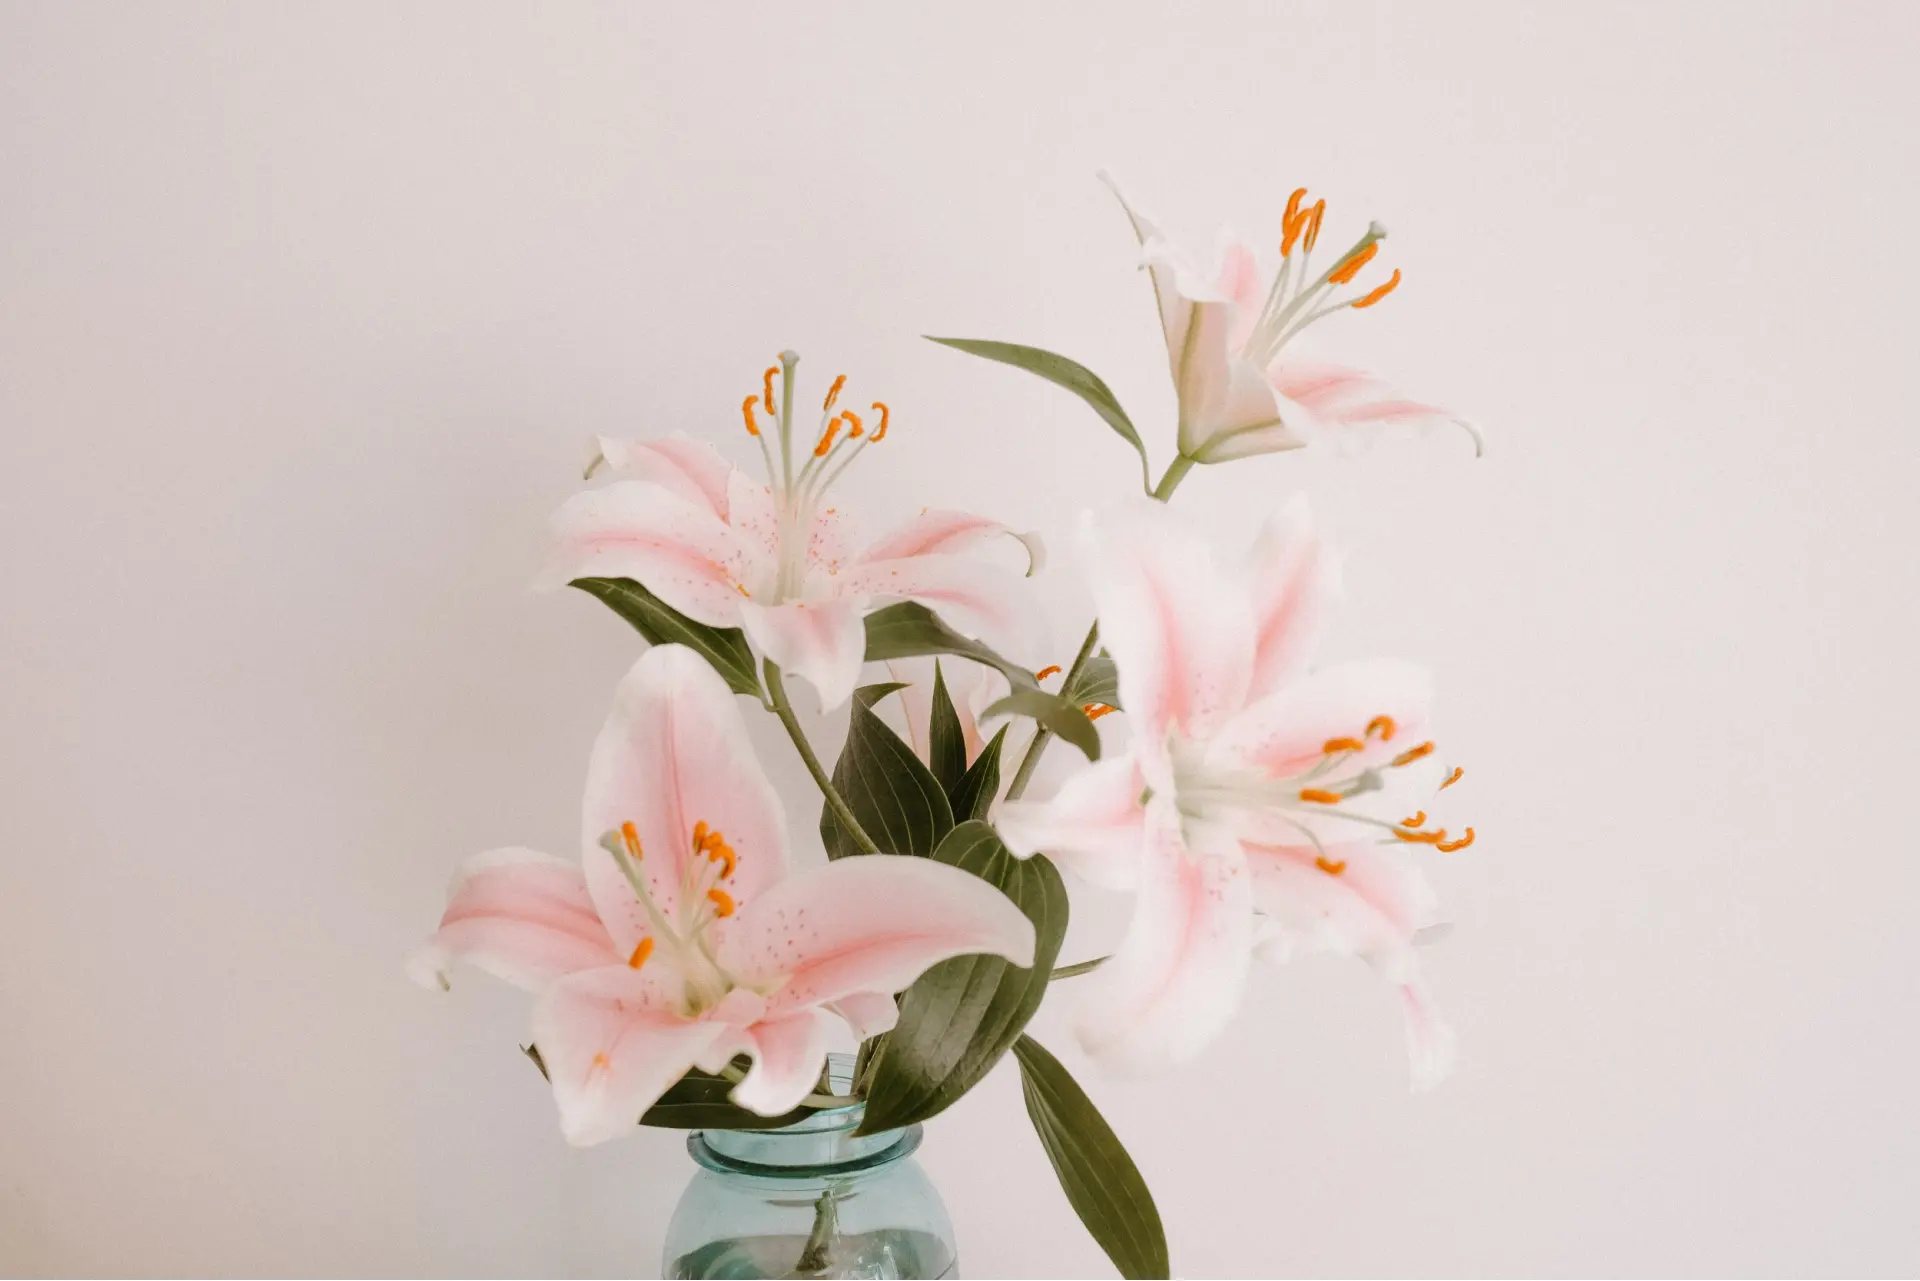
{"x":679,"y":940}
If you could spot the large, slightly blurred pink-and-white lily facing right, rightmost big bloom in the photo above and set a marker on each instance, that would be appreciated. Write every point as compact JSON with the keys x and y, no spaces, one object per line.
{"x":1259,"y":804}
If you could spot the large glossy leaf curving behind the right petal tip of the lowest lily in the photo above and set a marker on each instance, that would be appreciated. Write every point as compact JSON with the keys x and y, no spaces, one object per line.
{"x":963,"y":1015}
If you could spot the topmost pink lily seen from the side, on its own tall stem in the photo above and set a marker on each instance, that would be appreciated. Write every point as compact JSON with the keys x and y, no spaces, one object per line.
{"x":1243,"y":381}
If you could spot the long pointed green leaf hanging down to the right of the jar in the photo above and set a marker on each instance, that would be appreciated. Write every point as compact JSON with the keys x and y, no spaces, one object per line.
{"x":1101,"y":1182}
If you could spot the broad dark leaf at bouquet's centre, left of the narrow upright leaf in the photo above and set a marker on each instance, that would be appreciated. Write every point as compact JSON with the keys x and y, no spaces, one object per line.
{"x":896,"y":800}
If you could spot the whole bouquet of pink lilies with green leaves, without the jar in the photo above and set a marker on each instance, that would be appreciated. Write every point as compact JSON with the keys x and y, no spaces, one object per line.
{"x":1251,"y":800}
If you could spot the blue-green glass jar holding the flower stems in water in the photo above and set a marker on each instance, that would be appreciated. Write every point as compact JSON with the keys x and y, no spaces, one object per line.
{"x":809,"y":1201}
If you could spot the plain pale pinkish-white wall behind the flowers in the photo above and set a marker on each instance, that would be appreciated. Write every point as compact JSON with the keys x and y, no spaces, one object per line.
{"x":308,"y":312}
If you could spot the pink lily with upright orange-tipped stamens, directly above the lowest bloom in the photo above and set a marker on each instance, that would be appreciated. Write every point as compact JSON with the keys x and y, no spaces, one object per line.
{"x":775,"y":558}
